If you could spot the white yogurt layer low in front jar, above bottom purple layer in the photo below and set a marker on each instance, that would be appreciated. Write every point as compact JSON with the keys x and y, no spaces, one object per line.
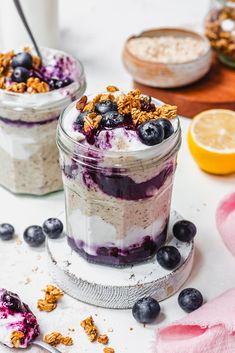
{"x":95,"y":232}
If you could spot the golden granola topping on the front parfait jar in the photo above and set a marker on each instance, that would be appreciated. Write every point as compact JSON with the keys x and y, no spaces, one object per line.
{"x":136,"y":108}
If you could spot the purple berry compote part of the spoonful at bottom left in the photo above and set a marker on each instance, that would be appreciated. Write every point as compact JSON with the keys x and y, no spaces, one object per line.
{"x":11,"y":305}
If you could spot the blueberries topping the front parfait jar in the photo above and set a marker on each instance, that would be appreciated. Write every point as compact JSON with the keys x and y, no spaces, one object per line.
{"x":151,"y":132}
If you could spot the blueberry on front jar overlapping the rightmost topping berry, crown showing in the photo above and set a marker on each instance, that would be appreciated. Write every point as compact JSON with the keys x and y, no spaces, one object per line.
{"x":151,"y":133}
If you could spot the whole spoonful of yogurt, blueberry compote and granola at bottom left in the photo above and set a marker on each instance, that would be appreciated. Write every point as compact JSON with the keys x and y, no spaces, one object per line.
{"x":18,"y":325}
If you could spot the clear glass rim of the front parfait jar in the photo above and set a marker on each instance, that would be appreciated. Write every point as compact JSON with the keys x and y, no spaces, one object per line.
{"x":62,"y":134}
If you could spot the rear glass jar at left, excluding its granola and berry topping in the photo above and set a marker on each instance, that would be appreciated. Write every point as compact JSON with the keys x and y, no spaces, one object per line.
{"x":28,"y":153}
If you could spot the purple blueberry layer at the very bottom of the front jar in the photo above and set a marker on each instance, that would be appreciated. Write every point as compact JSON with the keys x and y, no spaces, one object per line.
{"x":115,"y":257}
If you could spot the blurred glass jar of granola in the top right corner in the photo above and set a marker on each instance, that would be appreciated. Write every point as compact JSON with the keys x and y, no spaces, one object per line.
{"x":220,"y":30}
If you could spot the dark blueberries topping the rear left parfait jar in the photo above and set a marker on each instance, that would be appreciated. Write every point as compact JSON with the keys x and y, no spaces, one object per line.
{"x":22,"y":64}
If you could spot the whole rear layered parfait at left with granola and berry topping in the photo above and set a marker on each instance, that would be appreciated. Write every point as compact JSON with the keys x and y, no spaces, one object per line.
{"x":33,"y":92}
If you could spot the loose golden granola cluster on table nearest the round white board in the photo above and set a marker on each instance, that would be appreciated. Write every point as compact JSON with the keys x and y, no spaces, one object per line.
{"x":52,"y":295}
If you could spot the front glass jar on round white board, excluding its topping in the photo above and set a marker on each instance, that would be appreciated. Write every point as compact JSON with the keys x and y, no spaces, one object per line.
{"x":117,"y":203}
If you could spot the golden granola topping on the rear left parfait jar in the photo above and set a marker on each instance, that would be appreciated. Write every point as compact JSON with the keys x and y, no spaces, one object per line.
{"x":32,"y":84}
